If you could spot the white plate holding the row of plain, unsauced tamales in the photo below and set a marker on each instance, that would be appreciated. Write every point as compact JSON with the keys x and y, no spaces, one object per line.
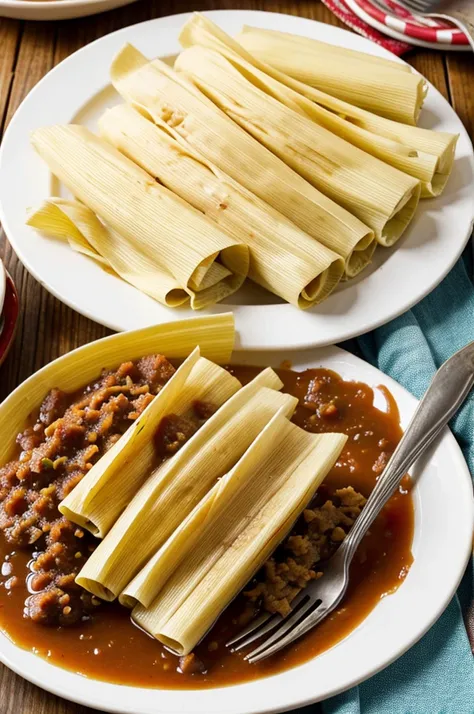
{"x":78,"y":90}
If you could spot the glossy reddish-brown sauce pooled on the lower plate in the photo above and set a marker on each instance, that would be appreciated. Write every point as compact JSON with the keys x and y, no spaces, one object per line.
{"x":109,"y":647}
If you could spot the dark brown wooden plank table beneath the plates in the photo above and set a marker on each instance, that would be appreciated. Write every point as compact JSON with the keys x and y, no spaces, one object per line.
{"x":47,"y":329}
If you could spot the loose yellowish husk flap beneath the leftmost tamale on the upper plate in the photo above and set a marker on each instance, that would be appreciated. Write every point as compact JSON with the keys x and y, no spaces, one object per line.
{"x":73,"y":222}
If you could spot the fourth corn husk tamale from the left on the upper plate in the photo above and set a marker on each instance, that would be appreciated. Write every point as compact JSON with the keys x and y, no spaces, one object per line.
{"x":382,"y":197}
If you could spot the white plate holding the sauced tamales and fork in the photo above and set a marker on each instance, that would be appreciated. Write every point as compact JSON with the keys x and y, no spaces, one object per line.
{"x":443,"y":532}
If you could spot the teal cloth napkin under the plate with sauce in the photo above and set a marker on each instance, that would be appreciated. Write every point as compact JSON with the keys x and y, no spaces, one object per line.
{"x":436,"y":676}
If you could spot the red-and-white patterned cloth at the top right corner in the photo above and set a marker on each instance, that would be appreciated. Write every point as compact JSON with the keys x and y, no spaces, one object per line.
{"x":372,"y":17}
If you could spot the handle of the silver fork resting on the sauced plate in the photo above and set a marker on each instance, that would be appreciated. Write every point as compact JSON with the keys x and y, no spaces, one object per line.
{"x":447,"y":391}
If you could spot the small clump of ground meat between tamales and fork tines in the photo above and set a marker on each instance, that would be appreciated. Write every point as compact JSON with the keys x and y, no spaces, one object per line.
{"x":315,"y":538}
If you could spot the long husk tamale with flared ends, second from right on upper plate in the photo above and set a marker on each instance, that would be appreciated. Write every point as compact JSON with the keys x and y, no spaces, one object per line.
{"x":422,"y":153}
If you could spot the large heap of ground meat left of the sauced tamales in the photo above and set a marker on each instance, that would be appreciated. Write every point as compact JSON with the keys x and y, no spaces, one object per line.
{"x":71,"y":433}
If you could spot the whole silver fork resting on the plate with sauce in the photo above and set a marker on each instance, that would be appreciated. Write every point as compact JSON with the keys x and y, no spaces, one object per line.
{"x":448,"y":390}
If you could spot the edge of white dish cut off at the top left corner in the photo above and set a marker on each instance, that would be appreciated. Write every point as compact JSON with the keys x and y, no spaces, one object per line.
{"x":56,"y":9}
